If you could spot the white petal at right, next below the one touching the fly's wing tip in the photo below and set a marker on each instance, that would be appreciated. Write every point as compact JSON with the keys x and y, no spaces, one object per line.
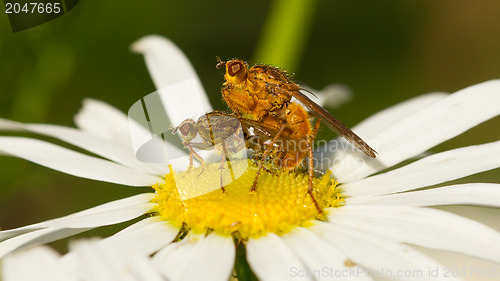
{"x":434,"y":169}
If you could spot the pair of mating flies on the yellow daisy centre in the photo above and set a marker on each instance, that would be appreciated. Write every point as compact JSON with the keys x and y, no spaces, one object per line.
{"x":274,"y":126}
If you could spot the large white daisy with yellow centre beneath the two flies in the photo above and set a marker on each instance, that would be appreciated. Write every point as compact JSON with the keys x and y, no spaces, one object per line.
{"x":375,"y":215}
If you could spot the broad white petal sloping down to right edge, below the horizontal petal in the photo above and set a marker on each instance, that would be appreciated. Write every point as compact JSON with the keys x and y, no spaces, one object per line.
{"x":423,"y":227}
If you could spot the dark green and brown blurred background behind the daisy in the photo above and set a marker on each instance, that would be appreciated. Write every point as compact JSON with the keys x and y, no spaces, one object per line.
{"x":385,"y":51}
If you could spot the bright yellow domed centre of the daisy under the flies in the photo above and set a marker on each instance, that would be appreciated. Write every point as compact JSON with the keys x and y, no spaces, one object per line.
{"x":280,"y":203}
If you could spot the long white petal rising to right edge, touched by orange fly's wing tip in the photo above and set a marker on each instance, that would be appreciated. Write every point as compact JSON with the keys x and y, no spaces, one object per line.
{"x":425,"y":129}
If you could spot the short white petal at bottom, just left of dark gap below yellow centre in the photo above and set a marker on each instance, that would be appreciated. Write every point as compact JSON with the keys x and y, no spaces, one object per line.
{"x":197,"y":257}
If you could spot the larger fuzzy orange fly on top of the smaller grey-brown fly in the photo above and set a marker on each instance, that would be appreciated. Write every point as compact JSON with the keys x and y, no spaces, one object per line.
{"x":264,"y":93}
